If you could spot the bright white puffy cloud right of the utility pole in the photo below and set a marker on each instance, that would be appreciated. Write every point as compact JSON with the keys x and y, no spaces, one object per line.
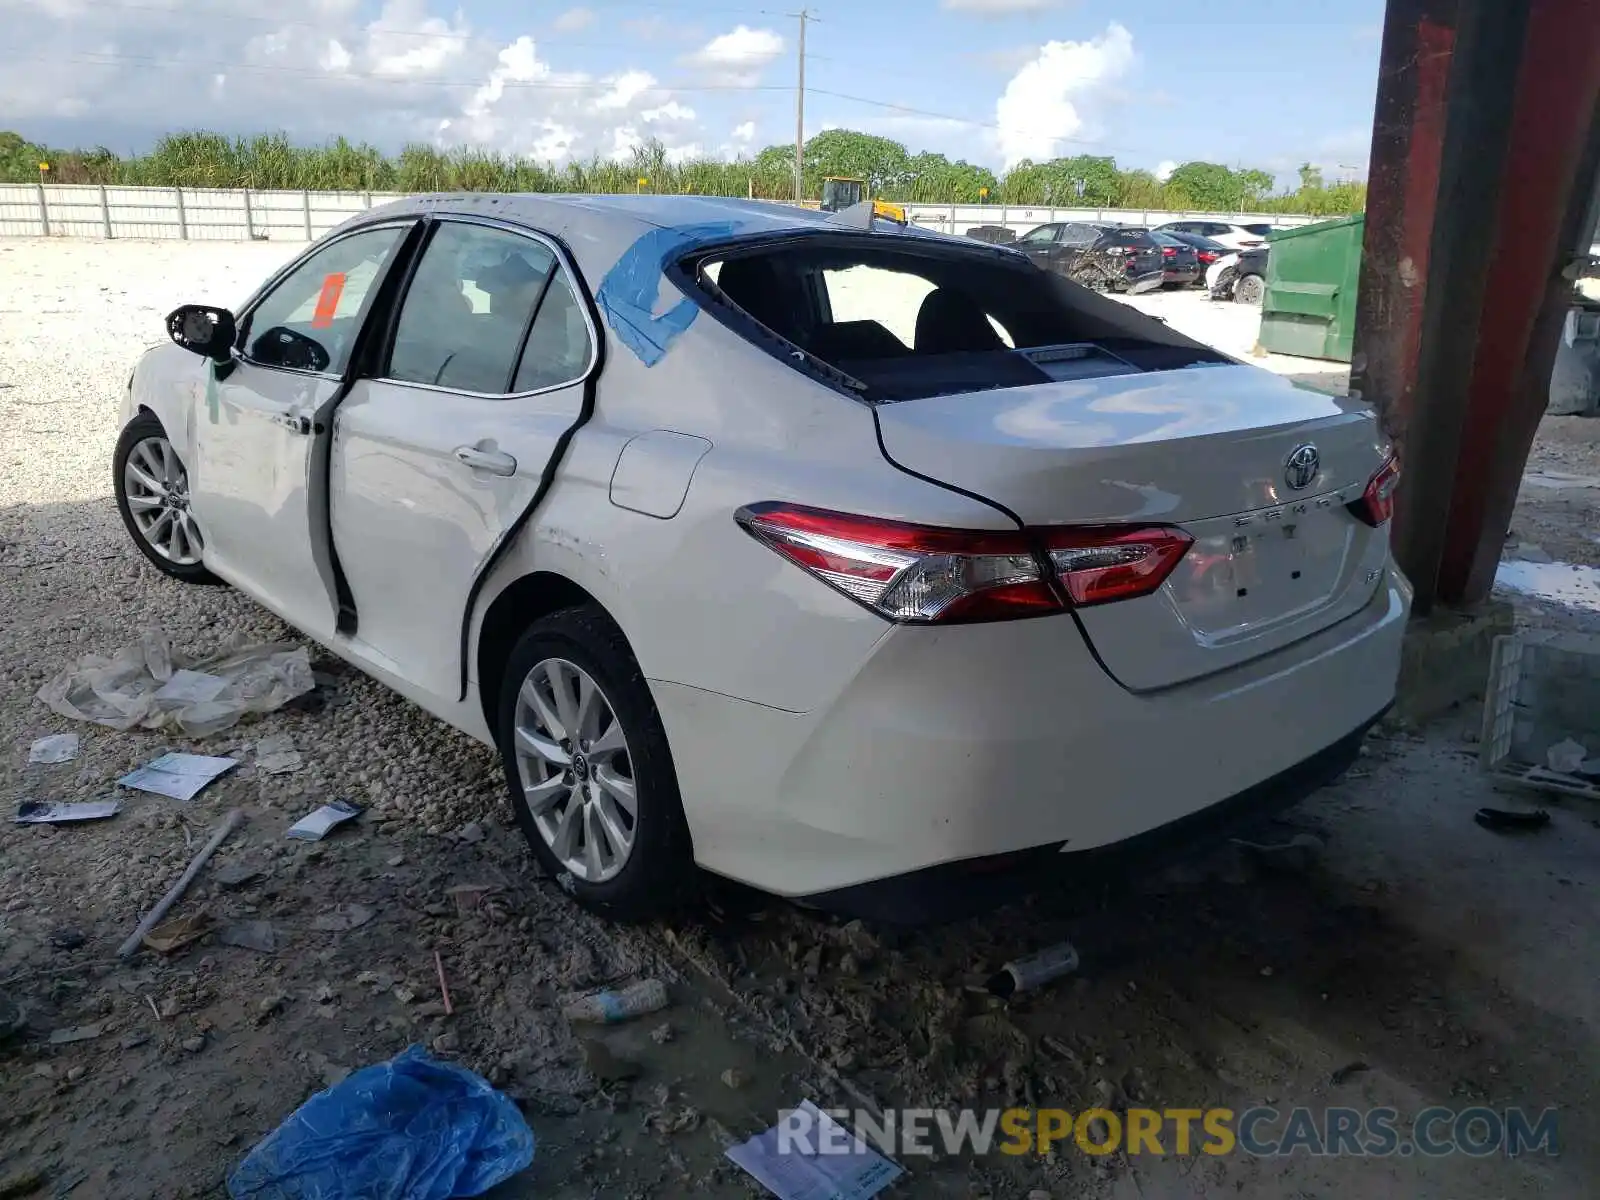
{"x":1046,"y":102}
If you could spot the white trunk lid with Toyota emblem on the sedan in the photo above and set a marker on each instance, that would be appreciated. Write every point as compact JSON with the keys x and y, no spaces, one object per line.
{"x":1204,"y":449}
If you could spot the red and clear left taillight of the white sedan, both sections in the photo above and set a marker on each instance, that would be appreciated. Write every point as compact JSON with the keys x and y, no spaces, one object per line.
{"x":918,"y":574}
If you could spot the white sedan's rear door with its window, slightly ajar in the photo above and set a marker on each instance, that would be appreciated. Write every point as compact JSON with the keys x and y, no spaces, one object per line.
{"x":441,"y":454}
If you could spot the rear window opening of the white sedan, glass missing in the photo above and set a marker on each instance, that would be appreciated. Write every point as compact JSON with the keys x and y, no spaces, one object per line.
{"x":905,"y":318}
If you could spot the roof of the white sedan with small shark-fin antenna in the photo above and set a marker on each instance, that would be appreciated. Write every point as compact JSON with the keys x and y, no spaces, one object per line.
{"x":599,"y":230}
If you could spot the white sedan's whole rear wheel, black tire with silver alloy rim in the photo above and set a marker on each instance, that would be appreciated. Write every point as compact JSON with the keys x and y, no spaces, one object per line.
{"x":582,"y":740}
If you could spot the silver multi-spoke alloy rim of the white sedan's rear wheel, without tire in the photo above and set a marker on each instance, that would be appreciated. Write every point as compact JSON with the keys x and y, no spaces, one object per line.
{"x":575,"y":770}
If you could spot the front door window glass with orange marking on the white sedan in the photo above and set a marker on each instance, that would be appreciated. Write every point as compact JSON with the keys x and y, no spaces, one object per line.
{"x":310,"y":321}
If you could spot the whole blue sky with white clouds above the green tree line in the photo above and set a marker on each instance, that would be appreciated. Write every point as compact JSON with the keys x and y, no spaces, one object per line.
{"x":1150,"y":82}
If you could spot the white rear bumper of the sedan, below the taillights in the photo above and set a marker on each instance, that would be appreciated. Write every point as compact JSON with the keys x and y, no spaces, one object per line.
{"x":975,"y":742}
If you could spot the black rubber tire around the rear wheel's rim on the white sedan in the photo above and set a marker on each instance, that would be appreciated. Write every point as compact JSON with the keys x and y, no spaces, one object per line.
{"x":660,"y":870}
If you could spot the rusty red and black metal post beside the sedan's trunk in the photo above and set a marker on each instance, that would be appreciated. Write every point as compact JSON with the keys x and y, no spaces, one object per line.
{"x":1455,"y":140}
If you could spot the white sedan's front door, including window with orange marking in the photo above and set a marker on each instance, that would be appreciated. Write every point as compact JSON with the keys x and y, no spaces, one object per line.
{"x":257,"y":433}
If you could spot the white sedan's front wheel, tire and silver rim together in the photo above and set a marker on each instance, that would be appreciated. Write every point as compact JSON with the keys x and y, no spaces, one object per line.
{"x":153,"y":497}
